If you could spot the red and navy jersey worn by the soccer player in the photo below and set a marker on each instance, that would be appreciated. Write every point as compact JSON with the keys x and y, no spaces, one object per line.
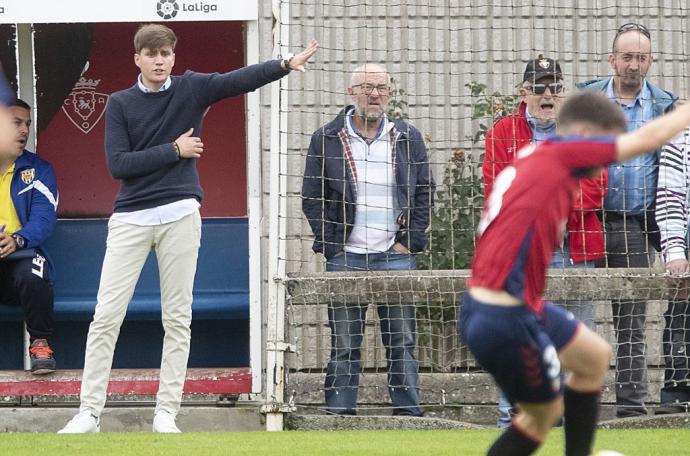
{"x":525,"y":215}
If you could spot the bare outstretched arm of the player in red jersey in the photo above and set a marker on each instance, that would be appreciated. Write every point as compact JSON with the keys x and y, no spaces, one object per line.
{"x":652,"y":135}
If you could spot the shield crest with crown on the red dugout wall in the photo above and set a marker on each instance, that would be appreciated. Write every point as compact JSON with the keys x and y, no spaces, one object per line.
{"x":84,"y":107}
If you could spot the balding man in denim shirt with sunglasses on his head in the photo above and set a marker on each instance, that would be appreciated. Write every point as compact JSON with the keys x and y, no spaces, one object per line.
{"x":631,"y":233}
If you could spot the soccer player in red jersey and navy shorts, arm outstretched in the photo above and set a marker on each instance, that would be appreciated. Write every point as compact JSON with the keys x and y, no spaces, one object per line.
{"x":513,"y":333}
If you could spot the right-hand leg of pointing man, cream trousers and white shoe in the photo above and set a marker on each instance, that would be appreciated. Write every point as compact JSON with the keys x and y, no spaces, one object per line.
{"x":177,"y":249}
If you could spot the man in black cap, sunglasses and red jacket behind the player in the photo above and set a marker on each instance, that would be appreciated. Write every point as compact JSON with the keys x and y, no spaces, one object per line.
{"x":542,"y":93}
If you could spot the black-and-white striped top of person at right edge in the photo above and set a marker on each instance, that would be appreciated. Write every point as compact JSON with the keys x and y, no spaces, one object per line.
{"x":672,"y":197}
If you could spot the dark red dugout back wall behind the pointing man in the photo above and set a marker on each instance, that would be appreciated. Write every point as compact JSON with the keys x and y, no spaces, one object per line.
{"x":86,"y":187}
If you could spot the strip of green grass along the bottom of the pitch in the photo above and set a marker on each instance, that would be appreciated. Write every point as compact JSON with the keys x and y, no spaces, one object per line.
{"x":665,"y":442}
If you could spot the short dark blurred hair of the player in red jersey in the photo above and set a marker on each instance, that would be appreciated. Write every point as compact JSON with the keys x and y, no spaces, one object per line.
{"x":591,"y":108}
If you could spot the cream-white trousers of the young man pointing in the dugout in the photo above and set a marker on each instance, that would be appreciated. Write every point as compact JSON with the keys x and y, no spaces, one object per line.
{"x":176,"y":246}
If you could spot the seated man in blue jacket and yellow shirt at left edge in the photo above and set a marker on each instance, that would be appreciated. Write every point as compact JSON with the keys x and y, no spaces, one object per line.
{"x":28,"y":204}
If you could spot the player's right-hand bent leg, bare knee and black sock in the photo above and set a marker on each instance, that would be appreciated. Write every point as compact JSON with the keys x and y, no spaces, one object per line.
{"x":586,"y":357}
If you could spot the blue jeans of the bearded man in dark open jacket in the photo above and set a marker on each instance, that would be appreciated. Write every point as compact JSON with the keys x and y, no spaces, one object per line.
{"x":398,"y":330}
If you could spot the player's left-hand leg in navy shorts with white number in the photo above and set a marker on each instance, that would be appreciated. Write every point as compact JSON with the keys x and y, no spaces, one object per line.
{"x":509,"y":343}
